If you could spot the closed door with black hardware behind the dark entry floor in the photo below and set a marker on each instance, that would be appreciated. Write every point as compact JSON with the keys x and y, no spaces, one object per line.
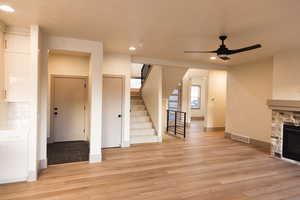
{"x":68,"y":111}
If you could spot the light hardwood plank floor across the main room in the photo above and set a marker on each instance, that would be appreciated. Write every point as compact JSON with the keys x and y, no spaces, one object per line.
{"x":204,"y":167}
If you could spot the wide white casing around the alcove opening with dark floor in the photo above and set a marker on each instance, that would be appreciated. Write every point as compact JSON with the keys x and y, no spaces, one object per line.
{"x":95,"y":49}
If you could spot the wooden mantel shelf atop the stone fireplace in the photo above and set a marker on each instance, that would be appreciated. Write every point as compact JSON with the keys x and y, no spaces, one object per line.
{"x":285,"y":105}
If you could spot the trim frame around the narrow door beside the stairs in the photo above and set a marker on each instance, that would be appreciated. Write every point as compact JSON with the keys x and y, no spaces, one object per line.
{"x":122,"y":77}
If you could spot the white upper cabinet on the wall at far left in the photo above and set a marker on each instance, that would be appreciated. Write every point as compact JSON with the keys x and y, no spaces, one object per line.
{"x":18,"y":68}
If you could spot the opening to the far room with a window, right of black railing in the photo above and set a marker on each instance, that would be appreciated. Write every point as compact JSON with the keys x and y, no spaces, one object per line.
{"x":204,"y":99}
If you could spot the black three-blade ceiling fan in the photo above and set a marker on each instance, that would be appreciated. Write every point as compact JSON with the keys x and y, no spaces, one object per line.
{"x":223,"y":52}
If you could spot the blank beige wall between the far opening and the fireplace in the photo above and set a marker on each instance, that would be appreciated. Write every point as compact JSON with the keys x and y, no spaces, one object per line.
{"x":249,"y":87}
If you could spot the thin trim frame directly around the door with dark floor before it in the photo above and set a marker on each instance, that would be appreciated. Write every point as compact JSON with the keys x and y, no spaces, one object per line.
{"x":87,"y":112}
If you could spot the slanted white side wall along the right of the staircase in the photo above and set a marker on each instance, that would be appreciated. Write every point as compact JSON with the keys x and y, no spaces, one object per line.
{"x":152,"y":96}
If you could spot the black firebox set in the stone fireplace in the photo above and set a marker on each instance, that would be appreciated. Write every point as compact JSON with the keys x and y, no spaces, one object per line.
{"x":291,"y":142}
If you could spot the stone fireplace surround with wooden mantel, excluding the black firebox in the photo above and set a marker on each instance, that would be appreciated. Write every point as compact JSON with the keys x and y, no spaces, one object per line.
{"x":284,"y":112}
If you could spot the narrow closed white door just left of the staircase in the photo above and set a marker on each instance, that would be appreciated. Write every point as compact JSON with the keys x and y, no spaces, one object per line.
{"x":112,"y":112}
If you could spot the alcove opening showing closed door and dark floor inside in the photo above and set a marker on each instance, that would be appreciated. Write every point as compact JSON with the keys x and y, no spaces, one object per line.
{"x":69,"y":108}
